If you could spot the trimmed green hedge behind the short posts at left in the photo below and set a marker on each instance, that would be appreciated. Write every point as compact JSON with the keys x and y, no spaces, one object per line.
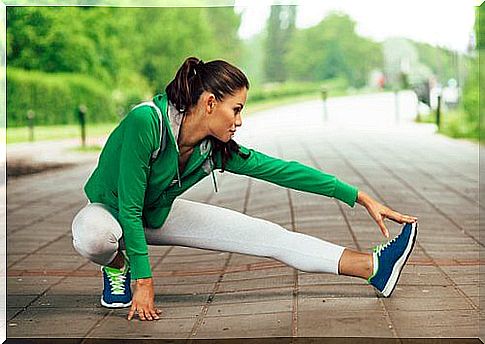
{"x":55,"y":98}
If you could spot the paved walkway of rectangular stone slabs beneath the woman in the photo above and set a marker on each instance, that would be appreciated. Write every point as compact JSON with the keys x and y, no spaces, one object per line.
{"x":52,"y":291}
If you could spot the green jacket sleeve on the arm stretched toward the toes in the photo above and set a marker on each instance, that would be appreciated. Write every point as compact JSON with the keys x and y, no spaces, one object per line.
{"x":290,"y":174}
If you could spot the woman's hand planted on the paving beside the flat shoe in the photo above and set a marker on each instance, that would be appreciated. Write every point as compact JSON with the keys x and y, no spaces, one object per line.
{"x":143,"y":301}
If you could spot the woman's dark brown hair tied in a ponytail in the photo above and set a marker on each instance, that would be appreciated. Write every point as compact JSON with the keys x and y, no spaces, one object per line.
{"x":218,"y":77}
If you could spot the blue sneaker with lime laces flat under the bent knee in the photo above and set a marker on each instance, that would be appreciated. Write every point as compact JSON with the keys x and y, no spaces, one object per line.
{"x":117,"y":287}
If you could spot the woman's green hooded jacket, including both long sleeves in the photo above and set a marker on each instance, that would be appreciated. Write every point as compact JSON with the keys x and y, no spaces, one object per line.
{"x":139,"y":193}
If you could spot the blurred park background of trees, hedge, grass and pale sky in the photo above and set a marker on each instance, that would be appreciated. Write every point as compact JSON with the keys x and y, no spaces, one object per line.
{"x":72,"y":66}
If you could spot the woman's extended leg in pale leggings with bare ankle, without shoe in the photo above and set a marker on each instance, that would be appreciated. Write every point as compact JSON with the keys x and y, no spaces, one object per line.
{"x":205,"y":226}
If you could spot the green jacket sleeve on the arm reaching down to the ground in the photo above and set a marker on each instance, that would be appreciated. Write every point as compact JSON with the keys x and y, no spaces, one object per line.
{"x":138,"y":144}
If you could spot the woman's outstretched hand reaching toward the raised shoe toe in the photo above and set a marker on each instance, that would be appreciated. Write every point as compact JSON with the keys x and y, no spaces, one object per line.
{"x":379,"y":212}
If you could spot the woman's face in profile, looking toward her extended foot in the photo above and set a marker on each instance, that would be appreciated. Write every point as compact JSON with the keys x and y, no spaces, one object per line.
{"x":225,"y":116}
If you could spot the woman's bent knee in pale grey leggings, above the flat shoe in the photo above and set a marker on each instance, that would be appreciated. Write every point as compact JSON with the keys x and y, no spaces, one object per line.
{"x":96,"y":233}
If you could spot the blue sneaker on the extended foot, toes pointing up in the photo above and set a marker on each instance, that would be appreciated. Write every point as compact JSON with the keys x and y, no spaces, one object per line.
{"x":390,"y":259}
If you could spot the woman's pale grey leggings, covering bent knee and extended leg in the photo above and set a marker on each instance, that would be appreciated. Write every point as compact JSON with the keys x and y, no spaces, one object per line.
{"x":97,"y":235}
